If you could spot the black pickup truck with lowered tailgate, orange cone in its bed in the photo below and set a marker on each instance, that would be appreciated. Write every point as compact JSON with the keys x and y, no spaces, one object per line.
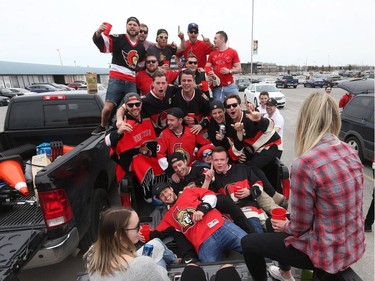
{"x":62,"y":211}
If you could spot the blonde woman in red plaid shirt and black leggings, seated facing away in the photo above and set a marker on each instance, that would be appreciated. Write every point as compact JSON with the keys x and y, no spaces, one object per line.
{"x":325,"y":232}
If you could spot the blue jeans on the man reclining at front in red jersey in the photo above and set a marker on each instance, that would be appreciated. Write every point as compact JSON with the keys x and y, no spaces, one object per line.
{"x":227,"y":237}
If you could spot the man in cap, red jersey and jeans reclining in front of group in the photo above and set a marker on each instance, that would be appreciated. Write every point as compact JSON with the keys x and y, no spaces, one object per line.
{"x":193,"y":213}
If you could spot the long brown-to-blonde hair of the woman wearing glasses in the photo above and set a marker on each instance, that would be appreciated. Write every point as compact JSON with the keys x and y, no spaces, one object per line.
{"x":105,"y":255}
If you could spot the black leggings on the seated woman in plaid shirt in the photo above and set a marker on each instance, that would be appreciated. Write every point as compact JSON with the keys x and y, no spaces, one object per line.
{"x":257,"y":246}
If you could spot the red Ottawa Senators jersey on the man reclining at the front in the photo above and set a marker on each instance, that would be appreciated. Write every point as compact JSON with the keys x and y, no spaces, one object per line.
{"x":179,"y":217}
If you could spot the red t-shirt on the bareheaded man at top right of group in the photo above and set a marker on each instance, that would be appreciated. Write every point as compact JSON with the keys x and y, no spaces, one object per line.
{"x":220,"y":59}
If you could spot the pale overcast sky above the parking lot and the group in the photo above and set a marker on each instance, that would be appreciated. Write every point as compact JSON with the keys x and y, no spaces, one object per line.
{"x":316,"y":32}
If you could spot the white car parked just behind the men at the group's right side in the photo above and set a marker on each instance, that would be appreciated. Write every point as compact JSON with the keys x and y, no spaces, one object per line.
{"x":252,"y":93}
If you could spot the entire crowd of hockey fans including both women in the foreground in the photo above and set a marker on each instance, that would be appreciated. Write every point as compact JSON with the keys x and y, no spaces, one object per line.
{"x":213,"y":154}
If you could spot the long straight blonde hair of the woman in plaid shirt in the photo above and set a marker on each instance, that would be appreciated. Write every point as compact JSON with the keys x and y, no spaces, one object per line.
{"x":318,"y":116}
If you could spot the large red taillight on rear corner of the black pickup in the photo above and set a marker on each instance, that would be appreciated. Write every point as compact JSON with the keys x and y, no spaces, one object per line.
{"x":56,"y":207}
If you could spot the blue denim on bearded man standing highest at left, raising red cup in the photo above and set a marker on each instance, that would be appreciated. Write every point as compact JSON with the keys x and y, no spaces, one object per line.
{"x":117,"y":89}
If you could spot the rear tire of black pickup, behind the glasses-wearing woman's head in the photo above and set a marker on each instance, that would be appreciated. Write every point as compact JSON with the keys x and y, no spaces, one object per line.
{"x":99,"y":203}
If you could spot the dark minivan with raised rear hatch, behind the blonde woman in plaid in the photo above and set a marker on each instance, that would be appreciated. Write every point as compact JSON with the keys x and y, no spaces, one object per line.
{"x":357,"y":118}
